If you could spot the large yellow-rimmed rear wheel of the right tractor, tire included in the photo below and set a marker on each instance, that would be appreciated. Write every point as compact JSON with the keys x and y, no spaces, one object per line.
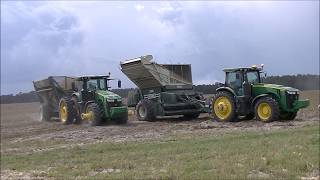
{"x":223,"y":107}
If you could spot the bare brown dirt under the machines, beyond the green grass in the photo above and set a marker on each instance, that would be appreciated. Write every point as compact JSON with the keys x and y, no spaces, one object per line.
{"x":23,"y":133}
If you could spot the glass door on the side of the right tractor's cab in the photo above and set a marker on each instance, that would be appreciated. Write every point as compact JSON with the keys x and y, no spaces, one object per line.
{"x":234,"y":80}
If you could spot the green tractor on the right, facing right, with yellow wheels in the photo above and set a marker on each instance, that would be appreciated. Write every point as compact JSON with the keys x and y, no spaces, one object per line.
{"x":245,"y":96}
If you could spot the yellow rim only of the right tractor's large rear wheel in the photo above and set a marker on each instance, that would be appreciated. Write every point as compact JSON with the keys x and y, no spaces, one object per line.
{"x":222,"y":108}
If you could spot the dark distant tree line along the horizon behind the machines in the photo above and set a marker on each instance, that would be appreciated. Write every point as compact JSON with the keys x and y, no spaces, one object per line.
{"x":302,"y":82}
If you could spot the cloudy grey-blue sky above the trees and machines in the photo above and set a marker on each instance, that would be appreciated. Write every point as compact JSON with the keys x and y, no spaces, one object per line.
{"x":39,"y":39}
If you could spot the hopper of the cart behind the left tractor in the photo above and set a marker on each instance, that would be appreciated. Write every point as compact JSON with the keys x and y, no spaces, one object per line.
{"x":52,"y":89}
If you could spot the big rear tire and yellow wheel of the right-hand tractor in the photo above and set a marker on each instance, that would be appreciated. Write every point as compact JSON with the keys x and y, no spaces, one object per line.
{"x":217,"y":113}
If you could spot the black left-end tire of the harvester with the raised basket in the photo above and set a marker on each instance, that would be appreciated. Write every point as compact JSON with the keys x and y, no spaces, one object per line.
{"x":145,"y":110}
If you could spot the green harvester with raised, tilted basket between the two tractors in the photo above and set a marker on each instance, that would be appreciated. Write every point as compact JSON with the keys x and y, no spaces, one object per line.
{"x":163,"y":89}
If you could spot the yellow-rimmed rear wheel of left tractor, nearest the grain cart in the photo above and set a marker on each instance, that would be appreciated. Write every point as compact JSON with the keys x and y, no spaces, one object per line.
{"x":66,"y":113}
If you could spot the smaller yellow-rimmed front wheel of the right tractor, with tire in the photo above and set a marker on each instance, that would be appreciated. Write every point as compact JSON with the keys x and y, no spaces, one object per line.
{"x":269,"y":116}
